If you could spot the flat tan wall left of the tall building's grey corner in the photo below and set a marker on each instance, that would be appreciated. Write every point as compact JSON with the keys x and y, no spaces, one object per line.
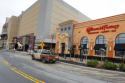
{"x":29,"y":20}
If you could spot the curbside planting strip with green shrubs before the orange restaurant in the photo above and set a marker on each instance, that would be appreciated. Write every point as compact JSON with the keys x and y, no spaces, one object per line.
{"x":109,"y":65}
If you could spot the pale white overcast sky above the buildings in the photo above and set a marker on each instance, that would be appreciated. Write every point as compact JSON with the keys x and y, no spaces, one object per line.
{"x":92,"y":8}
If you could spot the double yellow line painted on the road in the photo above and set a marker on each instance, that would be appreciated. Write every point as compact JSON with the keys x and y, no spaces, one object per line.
{"x":23,"y":74}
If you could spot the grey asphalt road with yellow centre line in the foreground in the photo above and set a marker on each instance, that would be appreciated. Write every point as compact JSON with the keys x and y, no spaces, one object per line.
{"x":19,"y":68}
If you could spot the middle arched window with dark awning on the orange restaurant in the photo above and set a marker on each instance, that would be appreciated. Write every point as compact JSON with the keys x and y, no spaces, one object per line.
{"x":100,"y":45}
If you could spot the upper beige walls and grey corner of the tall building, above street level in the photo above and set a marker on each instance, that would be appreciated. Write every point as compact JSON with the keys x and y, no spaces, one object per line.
{"x":43,"y":17}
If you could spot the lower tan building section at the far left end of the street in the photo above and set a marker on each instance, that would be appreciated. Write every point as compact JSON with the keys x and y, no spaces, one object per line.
{"x":9,"y":30}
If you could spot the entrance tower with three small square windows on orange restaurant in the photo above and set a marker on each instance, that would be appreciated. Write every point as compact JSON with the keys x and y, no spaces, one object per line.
{"x":64,"y":37}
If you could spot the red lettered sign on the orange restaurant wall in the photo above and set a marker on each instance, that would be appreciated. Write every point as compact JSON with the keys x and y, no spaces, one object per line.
{"x":102,"y":29}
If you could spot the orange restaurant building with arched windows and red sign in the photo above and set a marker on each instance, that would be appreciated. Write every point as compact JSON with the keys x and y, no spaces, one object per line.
{"x":101,"y":37}
